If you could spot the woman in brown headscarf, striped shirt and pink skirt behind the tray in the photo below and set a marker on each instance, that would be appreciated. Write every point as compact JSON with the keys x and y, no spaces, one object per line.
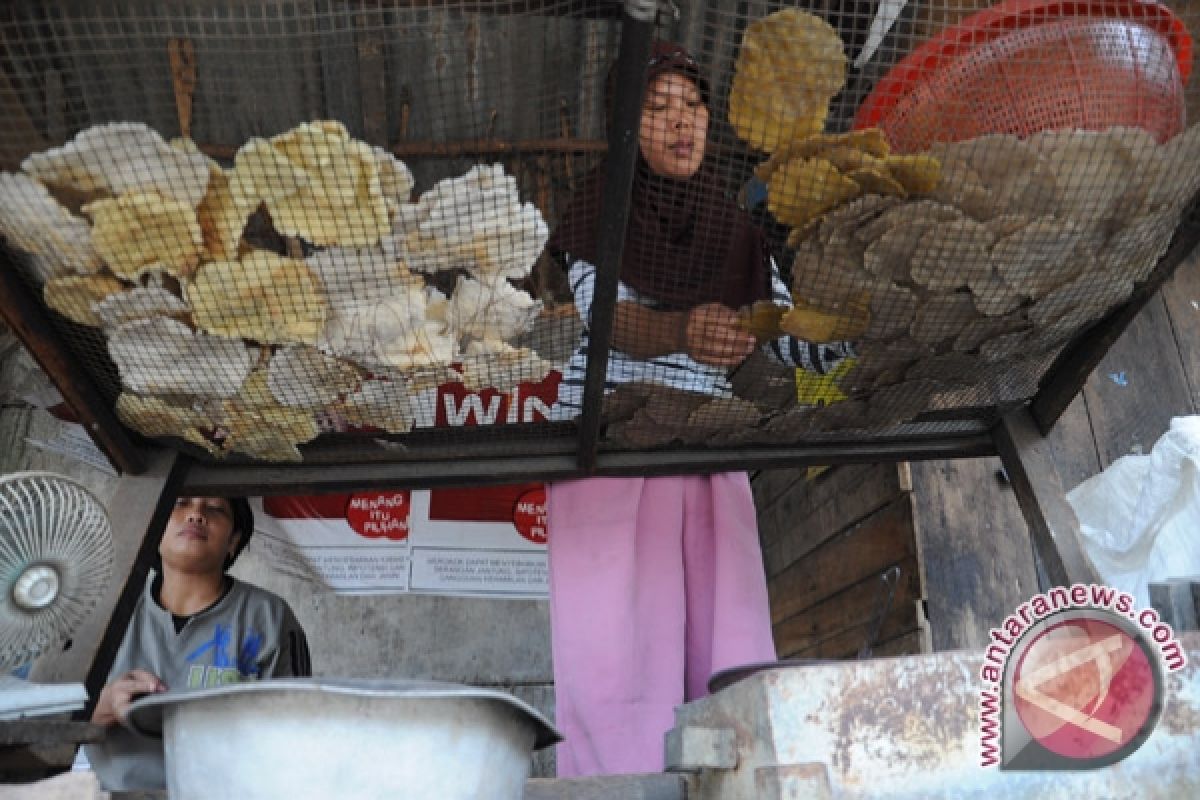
{"x":658,"y":582}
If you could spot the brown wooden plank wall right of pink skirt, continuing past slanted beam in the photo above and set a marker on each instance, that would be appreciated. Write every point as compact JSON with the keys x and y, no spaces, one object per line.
{"x":958,"y":524}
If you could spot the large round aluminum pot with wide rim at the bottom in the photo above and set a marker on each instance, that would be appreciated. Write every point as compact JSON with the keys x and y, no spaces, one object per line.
{"x":307,"y":738}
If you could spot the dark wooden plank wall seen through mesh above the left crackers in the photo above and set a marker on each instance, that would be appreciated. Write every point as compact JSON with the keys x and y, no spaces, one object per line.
{"x":394,"y":75}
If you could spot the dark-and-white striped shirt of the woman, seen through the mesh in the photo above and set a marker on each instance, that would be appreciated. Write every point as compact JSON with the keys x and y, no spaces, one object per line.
{"x":677,"y":370}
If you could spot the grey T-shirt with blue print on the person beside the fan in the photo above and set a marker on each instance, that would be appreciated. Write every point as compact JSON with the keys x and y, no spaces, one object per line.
{"x":248,"y":635}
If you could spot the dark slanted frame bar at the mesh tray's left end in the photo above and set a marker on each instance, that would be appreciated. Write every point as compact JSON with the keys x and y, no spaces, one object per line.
{"x":25,"y":315}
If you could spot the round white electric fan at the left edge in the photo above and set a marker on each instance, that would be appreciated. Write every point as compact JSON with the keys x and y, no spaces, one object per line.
{"x":56,"y":560}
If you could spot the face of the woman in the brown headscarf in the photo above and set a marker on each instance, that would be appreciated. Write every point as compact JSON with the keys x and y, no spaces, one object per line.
{"x":675,"y":127}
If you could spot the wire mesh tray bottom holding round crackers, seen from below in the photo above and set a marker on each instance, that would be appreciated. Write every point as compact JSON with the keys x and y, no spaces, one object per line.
{"x":260,"y":225}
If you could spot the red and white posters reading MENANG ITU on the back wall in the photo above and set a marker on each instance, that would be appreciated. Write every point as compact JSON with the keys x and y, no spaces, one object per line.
{"x":481,"y":542}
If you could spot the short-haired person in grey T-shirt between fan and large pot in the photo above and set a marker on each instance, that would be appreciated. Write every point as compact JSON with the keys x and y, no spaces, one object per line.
{"x":195,"y":627}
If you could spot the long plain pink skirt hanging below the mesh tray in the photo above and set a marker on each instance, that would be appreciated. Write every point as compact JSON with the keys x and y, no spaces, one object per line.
{"x":656,"y":585}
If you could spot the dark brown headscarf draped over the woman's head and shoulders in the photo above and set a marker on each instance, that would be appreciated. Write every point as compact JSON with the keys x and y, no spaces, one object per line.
{"x":687,"y":244}
